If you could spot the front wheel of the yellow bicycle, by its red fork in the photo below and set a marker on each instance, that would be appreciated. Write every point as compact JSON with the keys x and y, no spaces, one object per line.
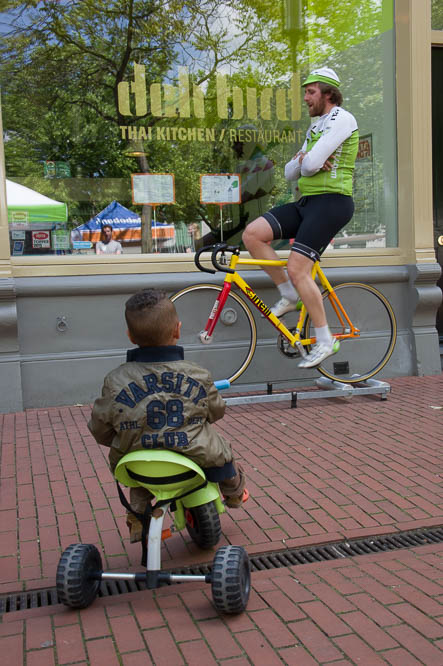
{"x":235,"y":336}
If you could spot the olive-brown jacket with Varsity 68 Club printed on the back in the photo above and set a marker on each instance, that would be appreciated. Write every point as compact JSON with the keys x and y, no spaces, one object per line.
{"x":157,"y":400}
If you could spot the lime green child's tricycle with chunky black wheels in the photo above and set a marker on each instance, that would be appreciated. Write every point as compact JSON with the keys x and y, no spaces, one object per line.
{"x":179,"y":486}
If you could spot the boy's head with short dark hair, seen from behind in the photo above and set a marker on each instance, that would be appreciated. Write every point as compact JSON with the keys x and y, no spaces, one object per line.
{"x":151,"y":318}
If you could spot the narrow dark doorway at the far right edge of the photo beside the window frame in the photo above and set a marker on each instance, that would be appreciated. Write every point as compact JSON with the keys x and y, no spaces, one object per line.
{"x":437,"y":166}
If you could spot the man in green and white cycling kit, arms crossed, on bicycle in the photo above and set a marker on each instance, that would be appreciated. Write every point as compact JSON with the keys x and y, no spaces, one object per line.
{"x":323,"y":171}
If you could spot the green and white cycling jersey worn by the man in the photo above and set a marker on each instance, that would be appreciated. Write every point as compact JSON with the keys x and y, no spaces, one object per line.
{"x":335,"y":133}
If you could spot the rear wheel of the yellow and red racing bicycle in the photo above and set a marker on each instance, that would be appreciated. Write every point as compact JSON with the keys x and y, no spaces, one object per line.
{"x":361,"y":357}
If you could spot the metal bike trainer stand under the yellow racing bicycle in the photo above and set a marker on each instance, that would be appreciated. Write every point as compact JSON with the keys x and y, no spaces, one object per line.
{"x":331,"y":389}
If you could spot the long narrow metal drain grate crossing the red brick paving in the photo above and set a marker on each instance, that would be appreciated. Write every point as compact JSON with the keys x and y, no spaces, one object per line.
{"x":271,"y":560}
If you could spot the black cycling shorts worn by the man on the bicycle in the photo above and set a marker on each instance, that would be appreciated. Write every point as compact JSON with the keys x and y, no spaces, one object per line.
{"x":312,"y":221}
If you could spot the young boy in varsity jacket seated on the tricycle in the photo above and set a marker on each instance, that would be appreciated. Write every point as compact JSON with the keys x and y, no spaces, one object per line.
{"x":157,"y":400}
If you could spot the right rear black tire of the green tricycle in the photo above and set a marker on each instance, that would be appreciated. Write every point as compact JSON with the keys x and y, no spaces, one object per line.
{"x":231,"y":579}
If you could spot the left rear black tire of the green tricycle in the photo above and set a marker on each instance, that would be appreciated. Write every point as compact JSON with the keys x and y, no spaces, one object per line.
{"x":78,"y":575}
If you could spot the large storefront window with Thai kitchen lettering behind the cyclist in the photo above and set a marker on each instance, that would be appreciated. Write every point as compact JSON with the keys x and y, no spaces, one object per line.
{"x":171,"y":122}
